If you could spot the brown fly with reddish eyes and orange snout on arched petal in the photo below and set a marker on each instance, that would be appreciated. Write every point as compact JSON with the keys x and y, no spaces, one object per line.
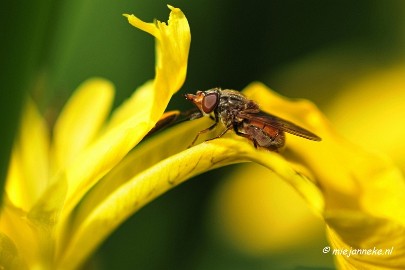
{"x":244,"y":116}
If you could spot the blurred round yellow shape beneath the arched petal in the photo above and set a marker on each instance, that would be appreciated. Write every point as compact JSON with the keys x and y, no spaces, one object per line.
{"x":261,"y":215}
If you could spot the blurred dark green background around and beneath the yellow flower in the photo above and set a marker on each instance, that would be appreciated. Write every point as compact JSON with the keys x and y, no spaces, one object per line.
{"x":299,"y":48}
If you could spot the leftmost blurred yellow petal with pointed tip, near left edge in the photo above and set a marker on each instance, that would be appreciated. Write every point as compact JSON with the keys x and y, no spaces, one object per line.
{"x":29,"y":170}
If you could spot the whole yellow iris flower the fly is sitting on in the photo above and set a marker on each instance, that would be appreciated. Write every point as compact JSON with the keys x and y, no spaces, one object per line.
{"x":67,"y":192}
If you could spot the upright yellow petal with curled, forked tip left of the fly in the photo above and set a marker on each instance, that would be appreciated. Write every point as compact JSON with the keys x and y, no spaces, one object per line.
{"x":137,"y":116}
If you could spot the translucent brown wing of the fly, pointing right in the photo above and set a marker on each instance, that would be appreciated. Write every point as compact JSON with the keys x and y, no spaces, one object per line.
{"x":276,"y":122}
